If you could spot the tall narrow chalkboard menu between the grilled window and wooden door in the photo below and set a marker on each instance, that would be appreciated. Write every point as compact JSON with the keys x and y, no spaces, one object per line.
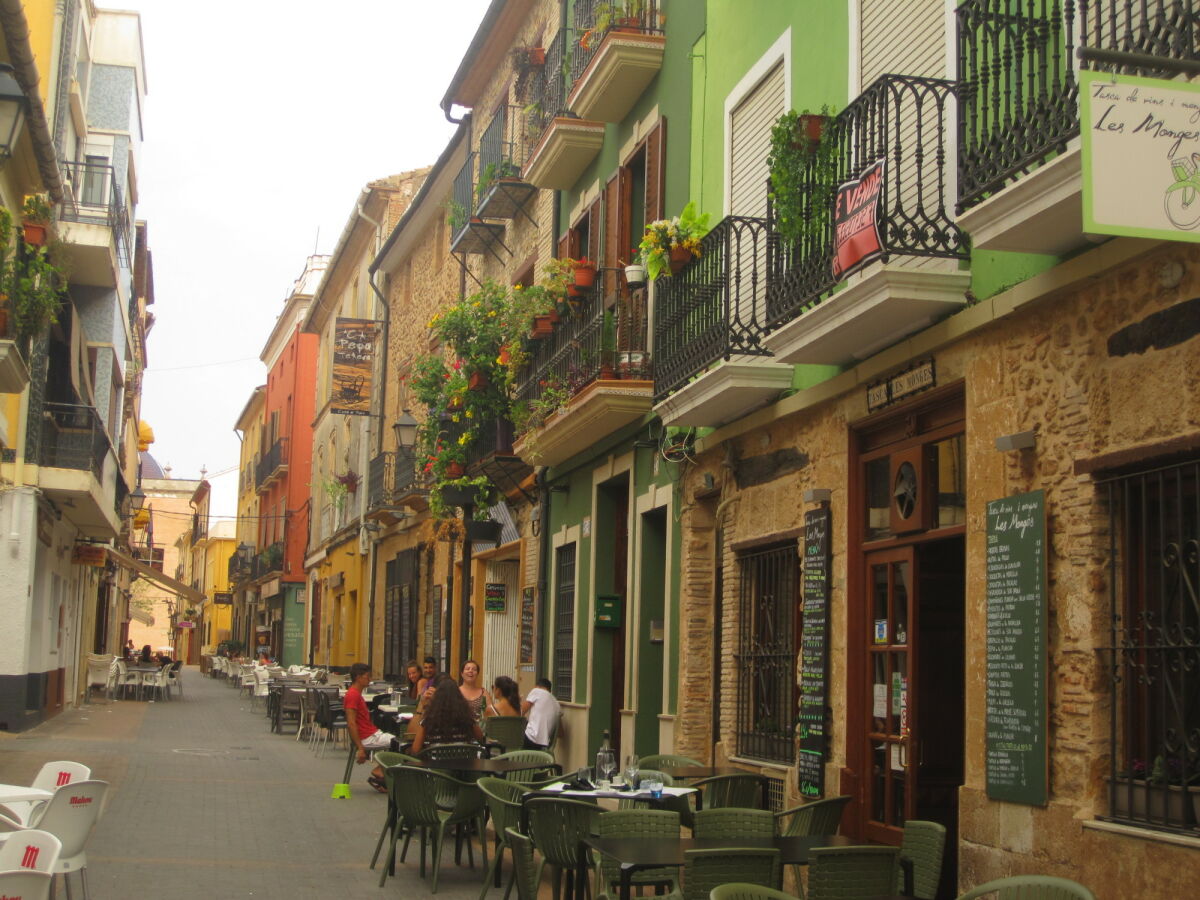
{"x":814,"y":656}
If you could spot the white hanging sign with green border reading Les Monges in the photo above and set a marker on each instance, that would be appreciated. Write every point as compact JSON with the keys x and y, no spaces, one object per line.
{"x":1141,"y":147}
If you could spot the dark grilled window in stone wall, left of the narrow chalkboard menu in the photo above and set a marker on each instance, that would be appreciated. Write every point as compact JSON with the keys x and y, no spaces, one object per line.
{"x":769,"y":638}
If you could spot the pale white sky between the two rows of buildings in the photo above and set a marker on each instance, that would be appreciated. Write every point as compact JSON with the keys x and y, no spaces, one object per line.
{"x":263,"y":122}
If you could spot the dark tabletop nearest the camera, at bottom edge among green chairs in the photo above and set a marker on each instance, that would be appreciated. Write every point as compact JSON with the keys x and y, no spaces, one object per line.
{"x":637,"y":854}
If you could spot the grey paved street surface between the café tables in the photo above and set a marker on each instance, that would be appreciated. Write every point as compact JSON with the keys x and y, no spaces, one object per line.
{"x":206,"y":802}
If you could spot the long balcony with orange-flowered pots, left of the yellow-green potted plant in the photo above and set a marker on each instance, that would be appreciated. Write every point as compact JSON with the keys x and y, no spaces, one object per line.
{"x":589,"y":375}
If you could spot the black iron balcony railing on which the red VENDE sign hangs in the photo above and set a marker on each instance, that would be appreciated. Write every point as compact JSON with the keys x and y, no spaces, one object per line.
{"x":904,"y":122}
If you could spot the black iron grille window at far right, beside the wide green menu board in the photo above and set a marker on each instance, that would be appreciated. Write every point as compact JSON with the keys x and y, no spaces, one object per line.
{"x":1155,"y":578}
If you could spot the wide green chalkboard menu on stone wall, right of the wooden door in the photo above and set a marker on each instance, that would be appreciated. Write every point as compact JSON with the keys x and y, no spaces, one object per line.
{"x":1017,"y":650}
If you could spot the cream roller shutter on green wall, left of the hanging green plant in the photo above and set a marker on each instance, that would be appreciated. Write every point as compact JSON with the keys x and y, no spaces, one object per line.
{"x":751,"y":124}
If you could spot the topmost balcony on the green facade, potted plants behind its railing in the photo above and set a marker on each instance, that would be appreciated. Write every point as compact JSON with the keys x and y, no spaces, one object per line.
{"x":619,"y":53}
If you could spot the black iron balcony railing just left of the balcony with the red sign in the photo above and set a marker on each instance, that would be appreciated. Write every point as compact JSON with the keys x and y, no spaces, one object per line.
{"x":715,"y":308}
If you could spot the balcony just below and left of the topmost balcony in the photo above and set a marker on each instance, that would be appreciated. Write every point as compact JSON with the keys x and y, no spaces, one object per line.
{"x":562,"y":145}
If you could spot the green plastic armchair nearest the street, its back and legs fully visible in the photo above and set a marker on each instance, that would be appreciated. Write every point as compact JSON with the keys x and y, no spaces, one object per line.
{"x":416,"y":794}
